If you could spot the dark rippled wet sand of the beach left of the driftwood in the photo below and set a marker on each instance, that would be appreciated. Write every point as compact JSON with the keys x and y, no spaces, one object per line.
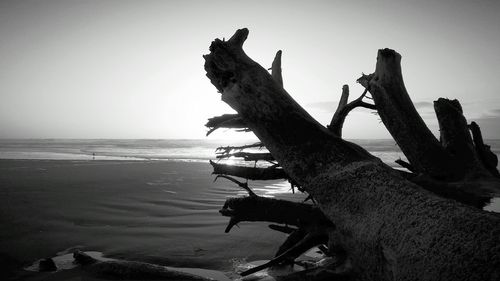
{"x":153,"y":211}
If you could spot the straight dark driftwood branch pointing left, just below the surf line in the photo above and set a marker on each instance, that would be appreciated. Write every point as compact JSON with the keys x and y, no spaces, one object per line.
{"x":249,"y":172}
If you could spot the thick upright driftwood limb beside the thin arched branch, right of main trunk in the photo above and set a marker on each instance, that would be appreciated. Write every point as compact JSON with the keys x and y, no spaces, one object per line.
{"x":402,"y":120}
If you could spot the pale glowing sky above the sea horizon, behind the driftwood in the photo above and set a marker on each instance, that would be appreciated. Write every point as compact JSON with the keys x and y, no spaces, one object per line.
{"x":134,"y":69}
